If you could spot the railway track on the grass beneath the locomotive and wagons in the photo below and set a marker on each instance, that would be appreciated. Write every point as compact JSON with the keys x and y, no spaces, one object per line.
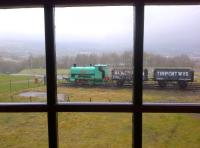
{"x":173,"y":86}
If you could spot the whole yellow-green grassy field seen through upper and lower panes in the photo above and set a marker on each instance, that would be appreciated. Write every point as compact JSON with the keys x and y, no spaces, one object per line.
{"x":97,"y":130}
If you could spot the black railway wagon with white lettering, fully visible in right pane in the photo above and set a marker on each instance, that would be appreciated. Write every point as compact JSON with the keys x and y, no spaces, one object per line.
{"x":180,"y":75}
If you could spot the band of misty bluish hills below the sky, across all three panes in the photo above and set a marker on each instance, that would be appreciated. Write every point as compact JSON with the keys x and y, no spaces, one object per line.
{"x":23,"y":48}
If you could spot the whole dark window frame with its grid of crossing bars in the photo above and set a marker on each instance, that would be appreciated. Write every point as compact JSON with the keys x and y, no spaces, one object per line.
{"x":52,"y":107}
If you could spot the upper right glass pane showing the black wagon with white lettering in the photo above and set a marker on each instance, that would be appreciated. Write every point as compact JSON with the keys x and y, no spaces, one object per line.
{"x":171,"y":53}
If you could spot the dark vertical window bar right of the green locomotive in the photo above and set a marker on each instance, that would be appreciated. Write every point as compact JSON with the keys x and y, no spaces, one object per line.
{"x":138,"y":72}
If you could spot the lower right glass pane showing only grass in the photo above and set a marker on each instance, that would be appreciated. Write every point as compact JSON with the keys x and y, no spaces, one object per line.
{"x":171,"y":130}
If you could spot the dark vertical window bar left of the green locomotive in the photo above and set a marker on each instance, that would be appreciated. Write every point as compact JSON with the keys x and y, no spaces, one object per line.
{"x":51,"y":75}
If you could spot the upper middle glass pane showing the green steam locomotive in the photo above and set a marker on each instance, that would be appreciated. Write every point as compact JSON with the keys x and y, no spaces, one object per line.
{"x":94,"y":48}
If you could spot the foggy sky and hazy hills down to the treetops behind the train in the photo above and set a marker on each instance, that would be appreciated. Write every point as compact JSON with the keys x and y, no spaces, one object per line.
{"x":169,"y":31}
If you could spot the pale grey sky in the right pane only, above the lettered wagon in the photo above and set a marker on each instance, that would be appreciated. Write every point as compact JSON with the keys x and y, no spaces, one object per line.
{"x":172,"y":27}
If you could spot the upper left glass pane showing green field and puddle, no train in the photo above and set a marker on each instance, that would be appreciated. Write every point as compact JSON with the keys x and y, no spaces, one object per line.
{"x":22,"y":55}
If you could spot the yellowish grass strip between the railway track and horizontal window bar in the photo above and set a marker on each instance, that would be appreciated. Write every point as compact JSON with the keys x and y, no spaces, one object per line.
{"x":125,"y":95}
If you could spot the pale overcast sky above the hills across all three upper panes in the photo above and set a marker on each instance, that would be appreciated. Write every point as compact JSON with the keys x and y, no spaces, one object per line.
{"x":173,"y":26}
